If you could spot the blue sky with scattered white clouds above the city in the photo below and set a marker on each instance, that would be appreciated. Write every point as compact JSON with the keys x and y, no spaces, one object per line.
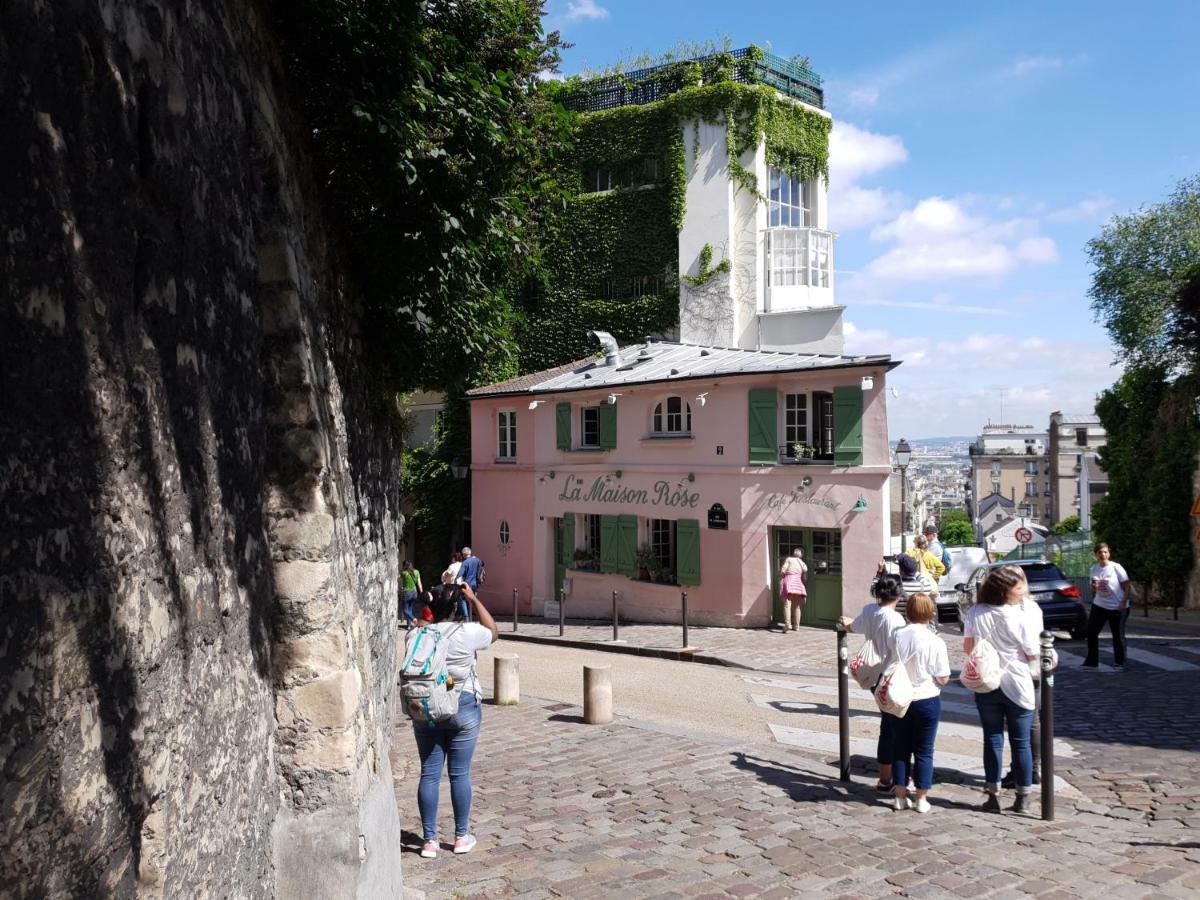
{"x":977,"y":148}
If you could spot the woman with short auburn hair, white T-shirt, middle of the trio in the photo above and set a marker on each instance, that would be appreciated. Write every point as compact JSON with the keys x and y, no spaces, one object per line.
{"x":928,"y":667}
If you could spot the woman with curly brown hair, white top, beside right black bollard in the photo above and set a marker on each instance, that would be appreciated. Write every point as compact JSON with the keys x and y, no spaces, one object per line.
{"x":999,"y":621}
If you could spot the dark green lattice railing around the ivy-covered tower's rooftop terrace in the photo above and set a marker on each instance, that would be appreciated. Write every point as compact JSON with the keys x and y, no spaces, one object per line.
{"x":647,"y":86}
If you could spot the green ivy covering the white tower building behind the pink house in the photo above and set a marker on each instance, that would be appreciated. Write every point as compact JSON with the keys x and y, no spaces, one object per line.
{"x":602,"y":250}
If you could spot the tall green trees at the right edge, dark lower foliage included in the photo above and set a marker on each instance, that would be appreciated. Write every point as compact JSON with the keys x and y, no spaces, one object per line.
{"x":1147,"y":291}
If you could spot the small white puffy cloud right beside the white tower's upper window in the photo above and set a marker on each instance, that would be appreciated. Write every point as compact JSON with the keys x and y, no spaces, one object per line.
{"x":854,"y":154}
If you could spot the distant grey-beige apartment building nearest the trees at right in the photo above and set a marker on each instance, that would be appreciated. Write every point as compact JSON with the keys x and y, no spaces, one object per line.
{"x":1077,"y":481}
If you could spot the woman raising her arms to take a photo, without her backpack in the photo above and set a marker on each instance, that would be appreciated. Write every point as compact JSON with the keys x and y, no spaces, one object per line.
{"x":452,"y":743}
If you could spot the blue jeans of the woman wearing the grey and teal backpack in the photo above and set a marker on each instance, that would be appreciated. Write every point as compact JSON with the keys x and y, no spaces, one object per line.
{"x":452,"y":745}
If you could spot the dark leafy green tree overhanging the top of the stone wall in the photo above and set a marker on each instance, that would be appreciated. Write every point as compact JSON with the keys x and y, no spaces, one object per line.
{"x":433,"y":147}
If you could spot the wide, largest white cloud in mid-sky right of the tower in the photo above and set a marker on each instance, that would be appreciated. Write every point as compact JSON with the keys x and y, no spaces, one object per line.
{"x":940,"y":239}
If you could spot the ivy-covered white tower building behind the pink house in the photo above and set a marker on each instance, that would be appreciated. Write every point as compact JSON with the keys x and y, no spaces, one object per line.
{"x":698,"y":213}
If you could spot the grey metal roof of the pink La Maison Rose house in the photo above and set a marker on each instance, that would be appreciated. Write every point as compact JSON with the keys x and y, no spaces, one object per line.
{"x":665,"y":362}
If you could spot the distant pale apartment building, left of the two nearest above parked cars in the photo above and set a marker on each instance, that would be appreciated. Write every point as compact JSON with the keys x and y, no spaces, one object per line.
{"x":1011,"y":461}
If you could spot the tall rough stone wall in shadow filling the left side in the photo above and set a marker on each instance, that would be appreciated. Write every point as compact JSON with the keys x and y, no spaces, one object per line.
{"x":199,"y":491}
